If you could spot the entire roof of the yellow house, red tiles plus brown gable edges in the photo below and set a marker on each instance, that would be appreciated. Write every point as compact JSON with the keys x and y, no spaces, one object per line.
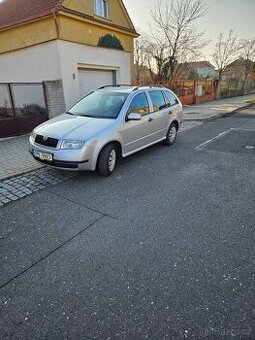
{"x":13,"y":12}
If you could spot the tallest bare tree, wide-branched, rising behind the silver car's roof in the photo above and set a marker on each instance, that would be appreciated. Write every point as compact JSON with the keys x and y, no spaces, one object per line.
{"x":175,"y":37}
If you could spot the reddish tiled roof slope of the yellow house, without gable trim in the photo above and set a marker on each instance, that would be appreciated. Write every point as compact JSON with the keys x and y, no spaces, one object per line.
{"x":16,"y":11}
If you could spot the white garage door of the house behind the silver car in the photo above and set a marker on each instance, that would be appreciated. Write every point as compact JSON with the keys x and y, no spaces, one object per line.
{"x":93,"y":79}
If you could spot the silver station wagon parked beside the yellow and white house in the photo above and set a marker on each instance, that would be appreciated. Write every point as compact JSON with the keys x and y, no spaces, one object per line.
{"x":108,"y":123}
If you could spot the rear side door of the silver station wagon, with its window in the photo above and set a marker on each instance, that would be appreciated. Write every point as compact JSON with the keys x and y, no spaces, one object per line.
{"x":161,"y":111}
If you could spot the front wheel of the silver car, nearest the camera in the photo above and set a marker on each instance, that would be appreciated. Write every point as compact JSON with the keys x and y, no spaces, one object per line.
{"x":107,"y":160}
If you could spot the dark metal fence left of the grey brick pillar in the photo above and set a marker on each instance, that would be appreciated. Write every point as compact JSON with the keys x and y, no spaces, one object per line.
{"x":22,"y":107}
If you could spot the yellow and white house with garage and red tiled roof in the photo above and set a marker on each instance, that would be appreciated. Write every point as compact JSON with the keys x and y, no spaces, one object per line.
{"x":56,"y":42}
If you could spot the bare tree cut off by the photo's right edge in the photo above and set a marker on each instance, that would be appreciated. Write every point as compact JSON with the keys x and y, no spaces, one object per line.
{"x":247,"y":48}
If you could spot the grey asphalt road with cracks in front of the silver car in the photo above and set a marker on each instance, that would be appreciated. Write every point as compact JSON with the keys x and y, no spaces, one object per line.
{"x":163,"y":249}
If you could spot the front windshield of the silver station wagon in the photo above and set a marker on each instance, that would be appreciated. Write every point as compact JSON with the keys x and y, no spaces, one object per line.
{"x":100,"y":105}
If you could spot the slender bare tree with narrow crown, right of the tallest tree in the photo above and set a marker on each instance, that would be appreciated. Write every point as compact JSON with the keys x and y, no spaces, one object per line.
{"x":226,"y":50}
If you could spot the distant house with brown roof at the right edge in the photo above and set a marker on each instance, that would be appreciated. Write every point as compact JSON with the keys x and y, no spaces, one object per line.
{"x":240,"y":69}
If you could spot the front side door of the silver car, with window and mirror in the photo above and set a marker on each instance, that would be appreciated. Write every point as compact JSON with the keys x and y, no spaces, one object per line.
{"x":137,"y":133}
